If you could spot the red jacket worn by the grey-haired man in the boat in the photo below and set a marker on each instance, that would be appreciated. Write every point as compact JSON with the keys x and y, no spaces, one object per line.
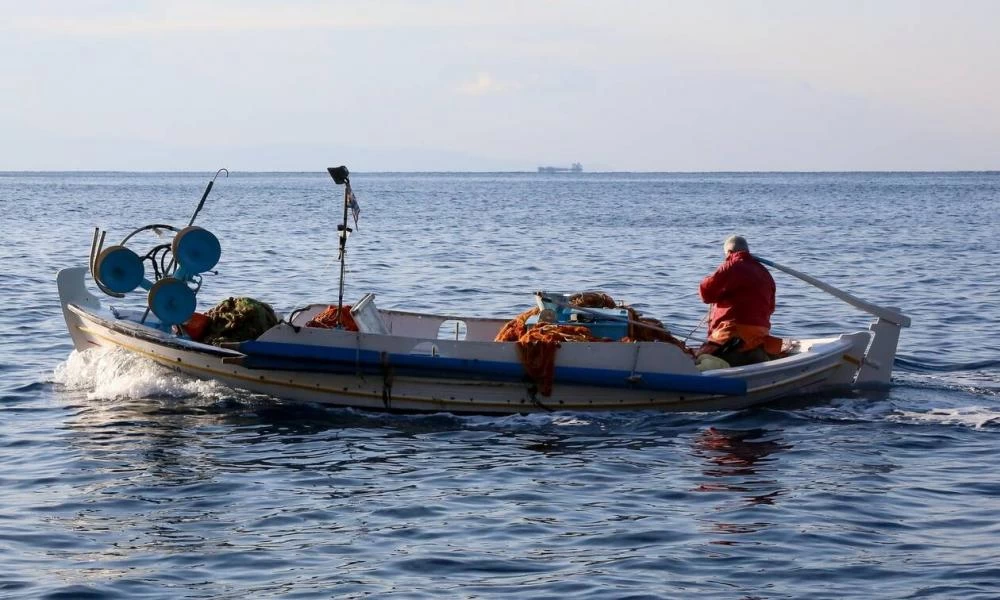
{"x":742,"y":291}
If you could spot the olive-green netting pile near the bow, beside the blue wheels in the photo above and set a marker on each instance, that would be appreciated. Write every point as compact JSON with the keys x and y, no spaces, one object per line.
{"x":232,"y":320}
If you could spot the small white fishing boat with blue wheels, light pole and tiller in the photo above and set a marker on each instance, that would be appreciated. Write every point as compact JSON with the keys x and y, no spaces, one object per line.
{"x":394,"y":360}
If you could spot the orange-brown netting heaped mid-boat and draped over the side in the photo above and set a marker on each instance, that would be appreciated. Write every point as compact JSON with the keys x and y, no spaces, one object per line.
{"x":536,"y":347}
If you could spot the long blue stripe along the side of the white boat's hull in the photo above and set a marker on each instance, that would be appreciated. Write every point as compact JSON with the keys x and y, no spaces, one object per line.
{"x":349,"y":360}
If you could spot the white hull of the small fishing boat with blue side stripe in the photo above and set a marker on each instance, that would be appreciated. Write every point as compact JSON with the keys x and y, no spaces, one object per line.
{"x":420,"y":372}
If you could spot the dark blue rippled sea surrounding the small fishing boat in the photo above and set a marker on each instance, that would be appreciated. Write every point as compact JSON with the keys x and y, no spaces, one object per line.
{"x":119,"y":479}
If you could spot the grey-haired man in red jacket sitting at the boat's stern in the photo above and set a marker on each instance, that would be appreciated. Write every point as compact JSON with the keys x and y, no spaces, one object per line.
{"x":741,"y":292}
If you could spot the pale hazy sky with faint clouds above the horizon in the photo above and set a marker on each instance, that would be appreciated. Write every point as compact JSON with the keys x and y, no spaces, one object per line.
{"x":644,"y":85}
